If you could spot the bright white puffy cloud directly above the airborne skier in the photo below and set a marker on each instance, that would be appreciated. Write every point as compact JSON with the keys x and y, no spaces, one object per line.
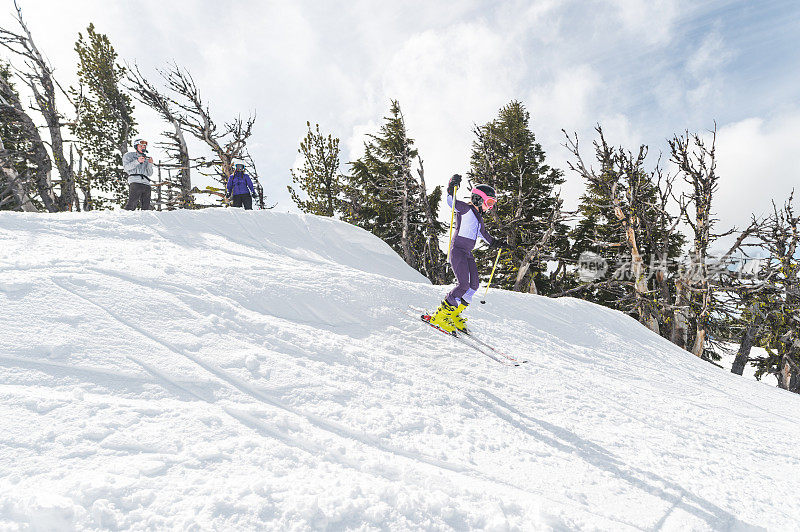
{"x":446,"y":80}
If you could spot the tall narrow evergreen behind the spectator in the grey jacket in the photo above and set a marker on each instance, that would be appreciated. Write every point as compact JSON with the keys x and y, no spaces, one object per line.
{"x":105,"y":122}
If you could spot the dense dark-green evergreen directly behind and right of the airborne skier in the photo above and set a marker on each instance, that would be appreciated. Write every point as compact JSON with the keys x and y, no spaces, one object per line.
{"x":506,"y":156}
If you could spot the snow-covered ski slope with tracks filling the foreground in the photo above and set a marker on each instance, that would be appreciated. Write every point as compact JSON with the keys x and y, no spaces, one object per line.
{"x":225,"y":369}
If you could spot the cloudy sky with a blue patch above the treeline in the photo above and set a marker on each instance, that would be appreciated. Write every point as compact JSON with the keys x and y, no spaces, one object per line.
{"x":644,"y":69}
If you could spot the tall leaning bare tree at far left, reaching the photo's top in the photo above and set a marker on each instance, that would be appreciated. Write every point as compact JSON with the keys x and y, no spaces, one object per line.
{"x":38,"y":76}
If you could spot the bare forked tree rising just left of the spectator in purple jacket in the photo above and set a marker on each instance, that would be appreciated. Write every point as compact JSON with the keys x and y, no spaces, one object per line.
{"x":195,"y":116}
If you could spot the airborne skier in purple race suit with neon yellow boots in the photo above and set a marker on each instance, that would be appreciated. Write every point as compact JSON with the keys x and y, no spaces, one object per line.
{"x":469,"y":228}
